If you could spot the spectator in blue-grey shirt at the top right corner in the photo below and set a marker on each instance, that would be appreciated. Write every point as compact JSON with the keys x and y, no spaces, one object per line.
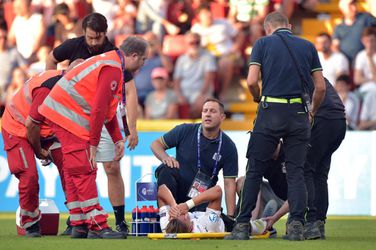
{"x":346,"y":37}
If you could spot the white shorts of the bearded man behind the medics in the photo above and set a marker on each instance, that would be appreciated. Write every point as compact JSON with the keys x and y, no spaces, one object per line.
{"x":106,"y":147}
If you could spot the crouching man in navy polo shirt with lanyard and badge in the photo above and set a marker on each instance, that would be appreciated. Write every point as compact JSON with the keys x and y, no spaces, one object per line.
{"x":201,"y":151}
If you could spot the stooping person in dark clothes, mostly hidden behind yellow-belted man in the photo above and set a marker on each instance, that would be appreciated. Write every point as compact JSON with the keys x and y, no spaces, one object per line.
{"x":327,"y":133}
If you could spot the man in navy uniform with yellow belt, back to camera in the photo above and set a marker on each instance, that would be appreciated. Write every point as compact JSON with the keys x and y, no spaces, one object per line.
{"x":281,"y":114}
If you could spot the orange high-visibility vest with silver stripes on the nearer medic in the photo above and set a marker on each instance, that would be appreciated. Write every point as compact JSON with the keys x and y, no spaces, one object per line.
{"x":70,"y":102}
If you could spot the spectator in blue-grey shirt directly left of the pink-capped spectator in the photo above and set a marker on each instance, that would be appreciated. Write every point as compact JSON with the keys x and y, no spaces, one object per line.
{"x":155,"y":59}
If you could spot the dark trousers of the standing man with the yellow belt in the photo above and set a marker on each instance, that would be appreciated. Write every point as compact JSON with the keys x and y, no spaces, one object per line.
{"x":275,"y":121}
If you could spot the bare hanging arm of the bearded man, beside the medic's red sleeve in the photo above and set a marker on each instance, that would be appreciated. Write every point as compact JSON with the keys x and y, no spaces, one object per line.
{"x":132,"y":110}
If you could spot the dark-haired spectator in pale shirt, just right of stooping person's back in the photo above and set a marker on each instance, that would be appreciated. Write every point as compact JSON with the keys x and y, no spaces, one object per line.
{"x":350,"y":100}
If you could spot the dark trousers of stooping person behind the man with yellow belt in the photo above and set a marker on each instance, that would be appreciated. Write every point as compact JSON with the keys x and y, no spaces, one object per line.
{"x":326,"y":137}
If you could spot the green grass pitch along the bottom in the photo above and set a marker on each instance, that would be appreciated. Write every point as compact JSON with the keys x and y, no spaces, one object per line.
{"x":352,"y":233}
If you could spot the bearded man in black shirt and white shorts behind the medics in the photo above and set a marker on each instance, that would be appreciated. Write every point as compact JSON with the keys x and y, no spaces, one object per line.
{"x":95,"y":42}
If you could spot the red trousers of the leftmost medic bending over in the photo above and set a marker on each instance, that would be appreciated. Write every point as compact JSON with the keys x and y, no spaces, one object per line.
{"x":21,"y":162}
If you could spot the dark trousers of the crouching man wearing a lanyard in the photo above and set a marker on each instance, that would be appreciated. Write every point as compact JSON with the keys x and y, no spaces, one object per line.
{"x":178,"y":187}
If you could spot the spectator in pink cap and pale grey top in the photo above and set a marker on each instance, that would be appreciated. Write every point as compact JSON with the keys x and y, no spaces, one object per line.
{"x":162,"y":102}
